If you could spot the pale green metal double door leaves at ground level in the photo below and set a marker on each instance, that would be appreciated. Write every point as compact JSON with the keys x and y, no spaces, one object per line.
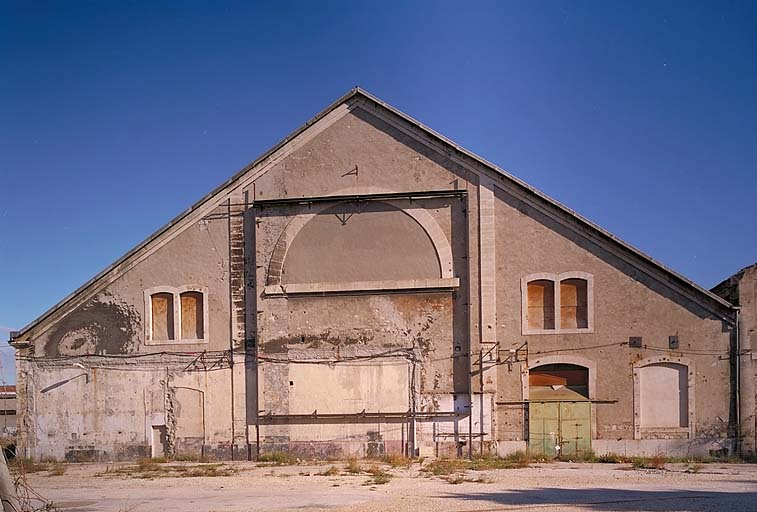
{"x":559,"y":428}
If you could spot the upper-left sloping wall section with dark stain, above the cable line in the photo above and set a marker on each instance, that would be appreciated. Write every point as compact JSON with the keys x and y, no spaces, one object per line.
{"x":112,"y":322}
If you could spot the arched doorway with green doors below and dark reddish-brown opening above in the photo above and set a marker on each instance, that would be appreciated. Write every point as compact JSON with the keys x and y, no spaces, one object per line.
{"x":559,"y":421}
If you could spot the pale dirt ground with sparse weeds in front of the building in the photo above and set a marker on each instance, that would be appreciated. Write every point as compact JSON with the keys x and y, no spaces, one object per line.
{"x":252,"y":487}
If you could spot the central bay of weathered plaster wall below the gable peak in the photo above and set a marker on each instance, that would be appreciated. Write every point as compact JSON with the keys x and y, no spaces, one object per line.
{"x":426,"y":332}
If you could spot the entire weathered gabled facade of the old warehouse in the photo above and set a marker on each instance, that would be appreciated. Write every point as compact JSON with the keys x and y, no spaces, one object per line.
{"x":366,"y":287}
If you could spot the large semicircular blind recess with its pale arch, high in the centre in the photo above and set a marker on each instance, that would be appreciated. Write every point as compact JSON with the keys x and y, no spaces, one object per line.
{"x":373,"y":241}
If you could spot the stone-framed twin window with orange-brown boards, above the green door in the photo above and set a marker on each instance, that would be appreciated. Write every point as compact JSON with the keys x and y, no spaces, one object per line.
{"x":557,"y":303}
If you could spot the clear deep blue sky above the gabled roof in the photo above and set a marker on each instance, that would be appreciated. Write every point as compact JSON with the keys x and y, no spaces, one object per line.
{"x":116,"y":116}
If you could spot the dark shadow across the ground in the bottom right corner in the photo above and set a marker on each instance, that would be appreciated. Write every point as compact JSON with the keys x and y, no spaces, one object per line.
{"x":614,"y":499}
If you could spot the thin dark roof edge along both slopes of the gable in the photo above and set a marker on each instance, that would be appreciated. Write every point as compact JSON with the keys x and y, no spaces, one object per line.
{"x":666,"y":275}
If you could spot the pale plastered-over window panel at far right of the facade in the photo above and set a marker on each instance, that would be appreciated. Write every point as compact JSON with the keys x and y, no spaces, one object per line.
{"x":664,"y":396}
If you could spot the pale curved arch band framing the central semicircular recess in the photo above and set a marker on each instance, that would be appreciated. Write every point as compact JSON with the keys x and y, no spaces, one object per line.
{"x":422,"y":217}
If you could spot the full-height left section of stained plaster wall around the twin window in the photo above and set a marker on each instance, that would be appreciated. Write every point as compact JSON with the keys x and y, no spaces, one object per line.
{"x":104,"y":387}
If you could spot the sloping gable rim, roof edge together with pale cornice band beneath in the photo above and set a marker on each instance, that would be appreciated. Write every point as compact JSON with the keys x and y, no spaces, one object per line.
{"x":360,"y":98}
